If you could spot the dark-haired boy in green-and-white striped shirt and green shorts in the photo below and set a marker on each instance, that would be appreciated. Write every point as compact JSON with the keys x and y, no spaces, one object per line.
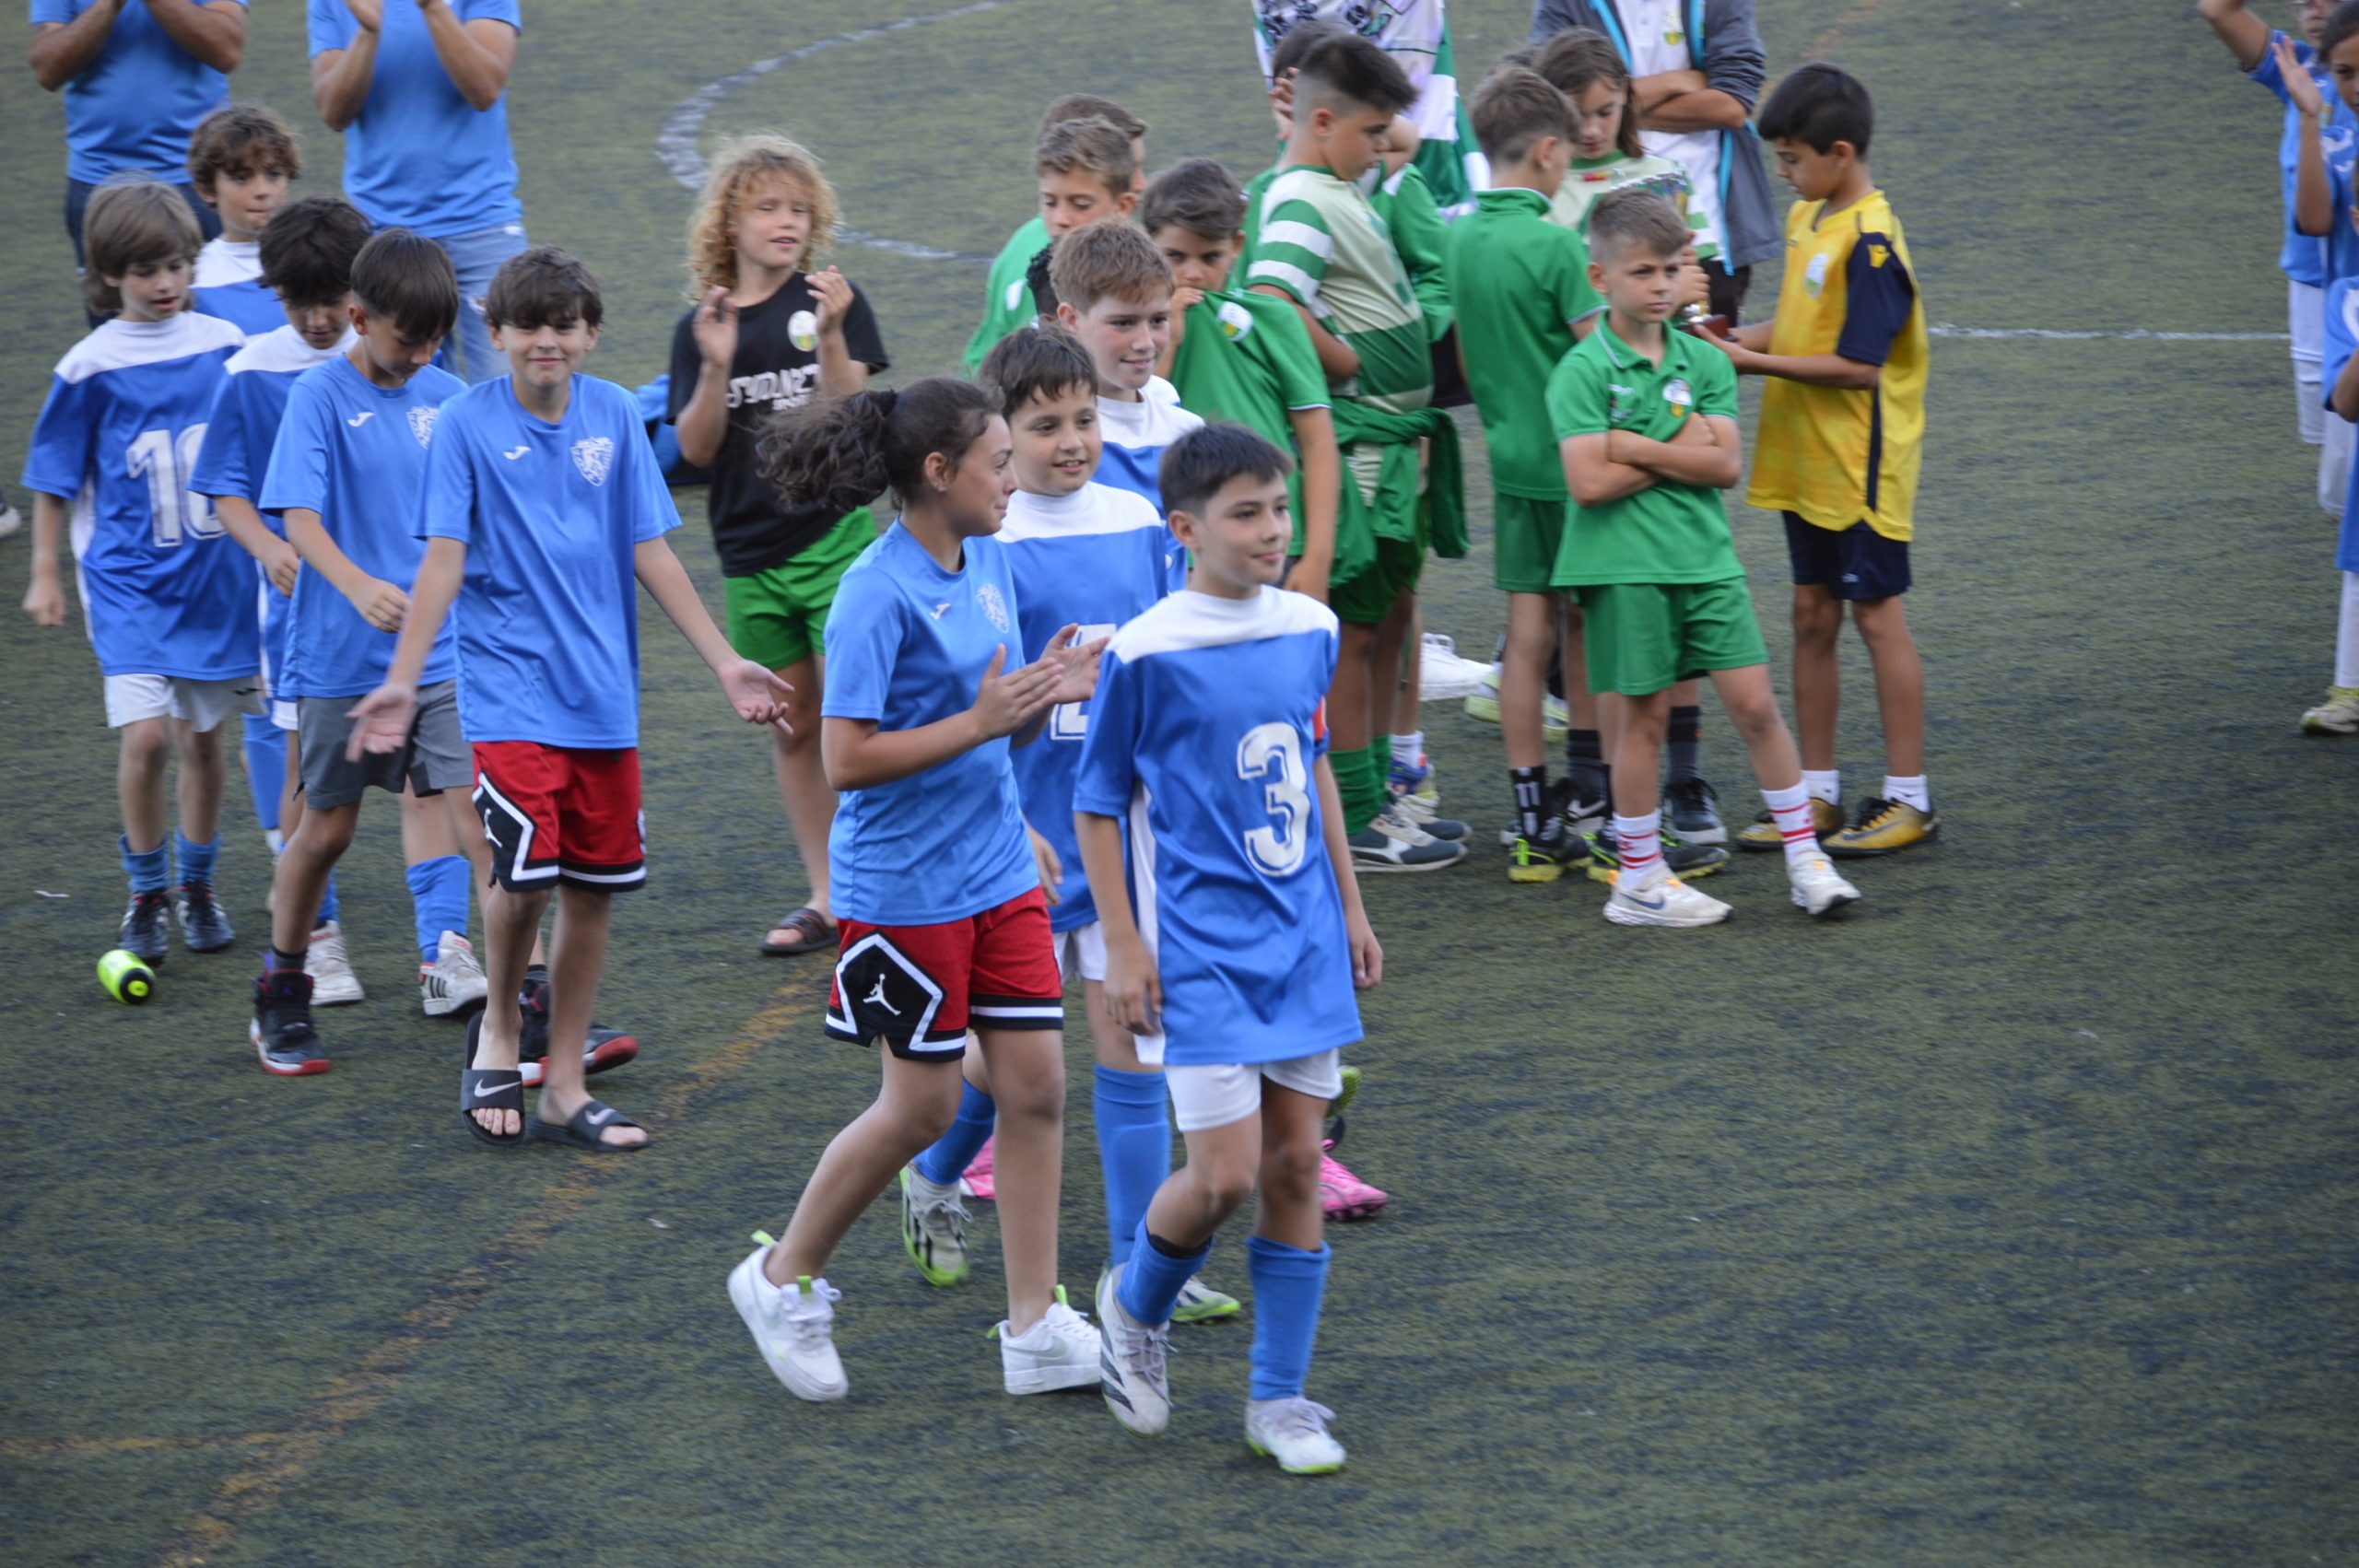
{"x":1327,"y":253}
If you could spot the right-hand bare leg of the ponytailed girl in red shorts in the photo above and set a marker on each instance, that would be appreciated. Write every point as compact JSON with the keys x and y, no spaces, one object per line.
{"x":1027,"y":1076}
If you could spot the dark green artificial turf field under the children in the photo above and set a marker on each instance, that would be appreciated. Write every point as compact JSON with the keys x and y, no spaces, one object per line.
{"x":2009,"y":1220}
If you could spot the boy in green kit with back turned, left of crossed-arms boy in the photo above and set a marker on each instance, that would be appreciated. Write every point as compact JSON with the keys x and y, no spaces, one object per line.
{"x":1525,"y":301}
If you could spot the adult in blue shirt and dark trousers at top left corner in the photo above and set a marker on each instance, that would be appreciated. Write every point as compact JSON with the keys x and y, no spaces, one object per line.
{"x":138,"y":79}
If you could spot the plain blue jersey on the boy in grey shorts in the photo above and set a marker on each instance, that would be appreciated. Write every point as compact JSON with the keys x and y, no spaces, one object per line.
{"x":355,"y":454}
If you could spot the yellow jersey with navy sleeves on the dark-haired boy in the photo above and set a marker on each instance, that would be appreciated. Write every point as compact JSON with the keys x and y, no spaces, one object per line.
{"x":1827,"y":454}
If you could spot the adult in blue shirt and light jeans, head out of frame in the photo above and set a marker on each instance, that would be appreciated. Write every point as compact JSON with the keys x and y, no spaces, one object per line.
{"x":419,"y":91}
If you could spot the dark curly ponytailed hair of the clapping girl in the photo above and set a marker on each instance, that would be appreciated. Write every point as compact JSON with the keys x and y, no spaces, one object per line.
{"x":843,"y":454}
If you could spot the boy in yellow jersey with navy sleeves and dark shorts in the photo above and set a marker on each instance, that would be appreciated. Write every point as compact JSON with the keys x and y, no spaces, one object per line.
{"x":1841,"y":437}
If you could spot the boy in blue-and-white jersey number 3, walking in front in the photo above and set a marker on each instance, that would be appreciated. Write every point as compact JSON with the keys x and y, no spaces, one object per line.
{"x":1242,"y":942}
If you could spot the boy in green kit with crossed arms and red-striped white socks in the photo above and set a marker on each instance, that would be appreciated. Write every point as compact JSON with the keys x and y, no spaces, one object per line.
{"x":1648,"y":428}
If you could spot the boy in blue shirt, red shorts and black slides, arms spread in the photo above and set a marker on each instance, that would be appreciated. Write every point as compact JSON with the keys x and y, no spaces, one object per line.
{"x":541,"y":508}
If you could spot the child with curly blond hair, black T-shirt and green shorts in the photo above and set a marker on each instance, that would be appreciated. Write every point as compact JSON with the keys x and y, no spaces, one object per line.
{"x":763,"y":338}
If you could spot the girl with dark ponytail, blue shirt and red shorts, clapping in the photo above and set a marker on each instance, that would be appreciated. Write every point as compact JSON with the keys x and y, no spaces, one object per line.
{"x":938,"y":890}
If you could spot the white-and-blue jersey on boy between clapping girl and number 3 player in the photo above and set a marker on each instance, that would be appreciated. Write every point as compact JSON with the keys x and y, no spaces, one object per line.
{"x":1096,"y":560}
